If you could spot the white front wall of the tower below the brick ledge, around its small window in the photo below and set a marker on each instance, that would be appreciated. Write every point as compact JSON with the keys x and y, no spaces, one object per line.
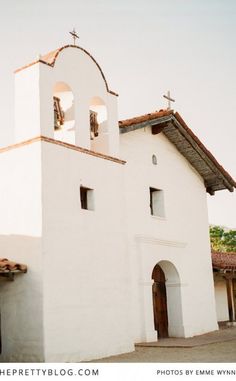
{"x":85,"y":259}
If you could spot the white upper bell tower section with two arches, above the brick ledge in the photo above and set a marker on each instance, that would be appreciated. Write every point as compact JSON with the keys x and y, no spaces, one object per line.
{"x":64,"y":95}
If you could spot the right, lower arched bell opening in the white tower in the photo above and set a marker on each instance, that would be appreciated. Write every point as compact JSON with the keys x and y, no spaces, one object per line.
{"x":98,"y":125}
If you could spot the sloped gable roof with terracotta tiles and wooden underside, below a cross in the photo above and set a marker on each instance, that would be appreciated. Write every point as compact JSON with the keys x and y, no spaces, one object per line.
{"x":176,"y":130}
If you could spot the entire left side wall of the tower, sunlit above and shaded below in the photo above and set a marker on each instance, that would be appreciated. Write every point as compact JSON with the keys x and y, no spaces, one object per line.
{"x":20,"y":241}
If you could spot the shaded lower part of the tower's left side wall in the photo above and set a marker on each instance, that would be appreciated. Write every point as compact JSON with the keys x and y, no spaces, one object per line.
{"x":21,"y":301}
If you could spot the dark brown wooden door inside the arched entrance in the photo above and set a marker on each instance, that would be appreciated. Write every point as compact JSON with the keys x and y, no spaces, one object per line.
{"x":160,"y":302}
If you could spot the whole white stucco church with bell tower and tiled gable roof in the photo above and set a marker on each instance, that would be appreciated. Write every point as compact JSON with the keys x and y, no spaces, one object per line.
{"x":104,"y":214}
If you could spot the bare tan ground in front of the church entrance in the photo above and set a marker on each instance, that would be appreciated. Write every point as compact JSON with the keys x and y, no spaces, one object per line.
{"x":222,"y":350}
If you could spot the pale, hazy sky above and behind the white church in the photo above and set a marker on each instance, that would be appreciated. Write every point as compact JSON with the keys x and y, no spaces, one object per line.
{"x":145,"y":48}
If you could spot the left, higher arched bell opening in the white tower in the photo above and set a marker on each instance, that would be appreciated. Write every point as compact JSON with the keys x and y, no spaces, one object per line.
{"x":64,"y":113}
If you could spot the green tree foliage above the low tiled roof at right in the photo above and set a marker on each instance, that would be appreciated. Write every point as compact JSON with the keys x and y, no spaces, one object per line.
{"x":222,"y":239}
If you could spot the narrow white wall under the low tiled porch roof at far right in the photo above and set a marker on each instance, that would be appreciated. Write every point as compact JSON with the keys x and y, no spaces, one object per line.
{"x":221,"y":299}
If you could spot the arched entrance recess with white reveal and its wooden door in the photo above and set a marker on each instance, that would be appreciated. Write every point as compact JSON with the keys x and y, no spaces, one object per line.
{"x":167,"y":304}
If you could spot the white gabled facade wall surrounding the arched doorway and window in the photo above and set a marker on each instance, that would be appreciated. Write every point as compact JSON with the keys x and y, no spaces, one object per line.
{"x":181,"y":237}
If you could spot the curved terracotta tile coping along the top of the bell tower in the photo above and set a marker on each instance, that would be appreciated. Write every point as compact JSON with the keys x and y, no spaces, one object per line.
{"x":51,"y":57}
